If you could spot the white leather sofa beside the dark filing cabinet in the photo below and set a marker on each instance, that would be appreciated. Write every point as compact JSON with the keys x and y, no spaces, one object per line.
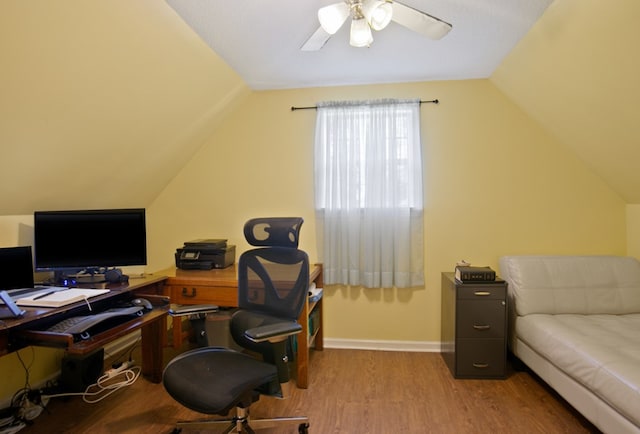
{"x":575,"y":321}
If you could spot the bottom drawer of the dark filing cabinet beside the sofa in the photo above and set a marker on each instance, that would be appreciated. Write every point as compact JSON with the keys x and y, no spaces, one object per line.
{"x":477,"y":358}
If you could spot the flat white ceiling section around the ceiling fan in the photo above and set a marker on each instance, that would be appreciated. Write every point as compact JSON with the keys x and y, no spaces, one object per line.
{"x":261,"y":41}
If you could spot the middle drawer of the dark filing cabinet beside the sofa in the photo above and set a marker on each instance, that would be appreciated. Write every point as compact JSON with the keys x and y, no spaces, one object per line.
{"x":481,"y":318}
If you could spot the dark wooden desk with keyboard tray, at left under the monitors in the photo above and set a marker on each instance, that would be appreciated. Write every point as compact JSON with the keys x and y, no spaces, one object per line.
{"x":20,"y":332}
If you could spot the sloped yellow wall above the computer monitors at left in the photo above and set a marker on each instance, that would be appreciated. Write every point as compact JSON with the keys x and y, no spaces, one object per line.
{"x":102,"y":102}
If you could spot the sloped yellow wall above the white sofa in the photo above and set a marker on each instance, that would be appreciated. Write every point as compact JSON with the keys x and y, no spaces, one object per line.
{"x":576,"y":72}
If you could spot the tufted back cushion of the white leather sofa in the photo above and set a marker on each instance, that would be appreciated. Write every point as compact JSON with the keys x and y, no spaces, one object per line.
{"x":572,"y":284}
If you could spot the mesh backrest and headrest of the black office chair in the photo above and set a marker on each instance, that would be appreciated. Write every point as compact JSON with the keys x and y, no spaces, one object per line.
{"x":273,"y":279}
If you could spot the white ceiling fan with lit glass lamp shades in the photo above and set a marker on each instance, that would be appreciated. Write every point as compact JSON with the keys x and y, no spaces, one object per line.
{"x":372,"y":14}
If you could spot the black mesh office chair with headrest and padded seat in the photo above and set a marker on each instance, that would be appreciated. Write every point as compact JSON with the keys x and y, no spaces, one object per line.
{"x":273,"y":284}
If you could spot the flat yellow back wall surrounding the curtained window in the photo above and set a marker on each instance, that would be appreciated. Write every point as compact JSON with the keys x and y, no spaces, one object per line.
{"x":495,"y":184}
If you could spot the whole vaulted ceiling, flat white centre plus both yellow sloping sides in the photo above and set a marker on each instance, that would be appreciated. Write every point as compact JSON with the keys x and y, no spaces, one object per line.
{"x":102,"y":103}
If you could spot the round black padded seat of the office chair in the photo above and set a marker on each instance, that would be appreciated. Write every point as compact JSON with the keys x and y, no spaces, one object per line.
{"x":213,"y":380}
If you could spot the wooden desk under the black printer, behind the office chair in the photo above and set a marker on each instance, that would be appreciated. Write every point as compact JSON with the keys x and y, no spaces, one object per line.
{"x":220,"y":287}
